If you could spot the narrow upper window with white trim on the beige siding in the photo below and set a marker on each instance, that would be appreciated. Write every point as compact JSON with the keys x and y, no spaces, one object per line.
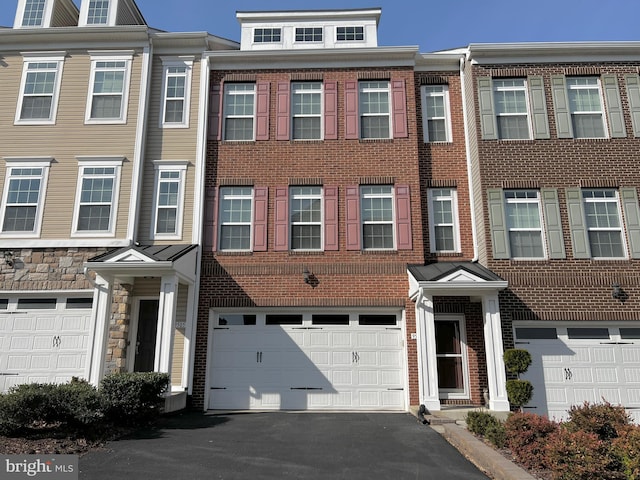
{"x":176,"y":92}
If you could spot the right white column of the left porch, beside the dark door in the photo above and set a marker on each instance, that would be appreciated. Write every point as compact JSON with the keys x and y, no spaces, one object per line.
{"x":166,"y":323}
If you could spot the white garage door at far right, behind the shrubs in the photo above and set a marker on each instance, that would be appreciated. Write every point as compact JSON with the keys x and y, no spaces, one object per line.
{"x":574,"y":364}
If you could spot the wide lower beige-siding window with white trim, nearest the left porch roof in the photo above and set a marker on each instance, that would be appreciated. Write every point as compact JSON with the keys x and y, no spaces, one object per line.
{"x":96,"y":197}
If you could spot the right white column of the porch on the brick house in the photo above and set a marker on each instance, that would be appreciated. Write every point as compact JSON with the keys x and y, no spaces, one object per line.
{"x":498,"y":400}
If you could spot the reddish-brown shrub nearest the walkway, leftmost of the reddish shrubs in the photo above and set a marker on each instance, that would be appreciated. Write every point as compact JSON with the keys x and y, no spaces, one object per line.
{"x":527,"y":435}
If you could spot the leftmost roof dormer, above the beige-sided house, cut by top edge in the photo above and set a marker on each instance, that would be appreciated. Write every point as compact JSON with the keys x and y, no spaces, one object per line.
{"x":45,"y":14}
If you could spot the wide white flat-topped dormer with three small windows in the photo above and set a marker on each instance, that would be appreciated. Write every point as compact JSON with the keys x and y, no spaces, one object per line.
{"x":309,"y":29}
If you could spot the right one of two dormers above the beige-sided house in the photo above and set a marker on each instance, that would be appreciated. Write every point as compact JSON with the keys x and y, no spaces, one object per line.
{"x":110,"y":13}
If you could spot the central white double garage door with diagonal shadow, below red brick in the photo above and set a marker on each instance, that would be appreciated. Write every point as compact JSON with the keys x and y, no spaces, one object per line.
{"x":299,"y":362}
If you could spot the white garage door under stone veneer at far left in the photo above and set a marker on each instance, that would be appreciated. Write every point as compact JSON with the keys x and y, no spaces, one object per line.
{"x":43,"y":340}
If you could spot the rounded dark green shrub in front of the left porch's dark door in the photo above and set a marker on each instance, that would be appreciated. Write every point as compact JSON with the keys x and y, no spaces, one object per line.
{"x":133,"y":398}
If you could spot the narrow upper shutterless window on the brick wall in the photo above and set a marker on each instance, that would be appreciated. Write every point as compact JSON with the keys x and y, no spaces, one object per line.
{"x":435,"y":113}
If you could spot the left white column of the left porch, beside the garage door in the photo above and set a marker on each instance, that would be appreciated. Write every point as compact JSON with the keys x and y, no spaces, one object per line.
{"x":101,"y":314}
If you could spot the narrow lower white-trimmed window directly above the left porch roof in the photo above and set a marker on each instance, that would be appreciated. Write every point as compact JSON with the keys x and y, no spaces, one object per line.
{"x":168,"y":200}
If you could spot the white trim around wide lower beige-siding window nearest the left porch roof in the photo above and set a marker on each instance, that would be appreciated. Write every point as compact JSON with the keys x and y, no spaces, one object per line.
{"x":98,"y":162}
